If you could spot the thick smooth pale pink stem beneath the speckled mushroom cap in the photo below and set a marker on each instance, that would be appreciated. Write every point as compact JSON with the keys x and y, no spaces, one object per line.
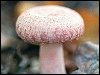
{"x":52,"y":59}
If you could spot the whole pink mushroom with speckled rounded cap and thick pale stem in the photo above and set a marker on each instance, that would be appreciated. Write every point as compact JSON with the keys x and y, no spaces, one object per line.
{"x":50,"y":26}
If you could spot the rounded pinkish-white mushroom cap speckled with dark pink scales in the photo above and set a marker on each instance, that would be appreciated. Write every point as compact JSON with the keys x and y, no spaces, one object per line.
{"x":49,"y":24}
